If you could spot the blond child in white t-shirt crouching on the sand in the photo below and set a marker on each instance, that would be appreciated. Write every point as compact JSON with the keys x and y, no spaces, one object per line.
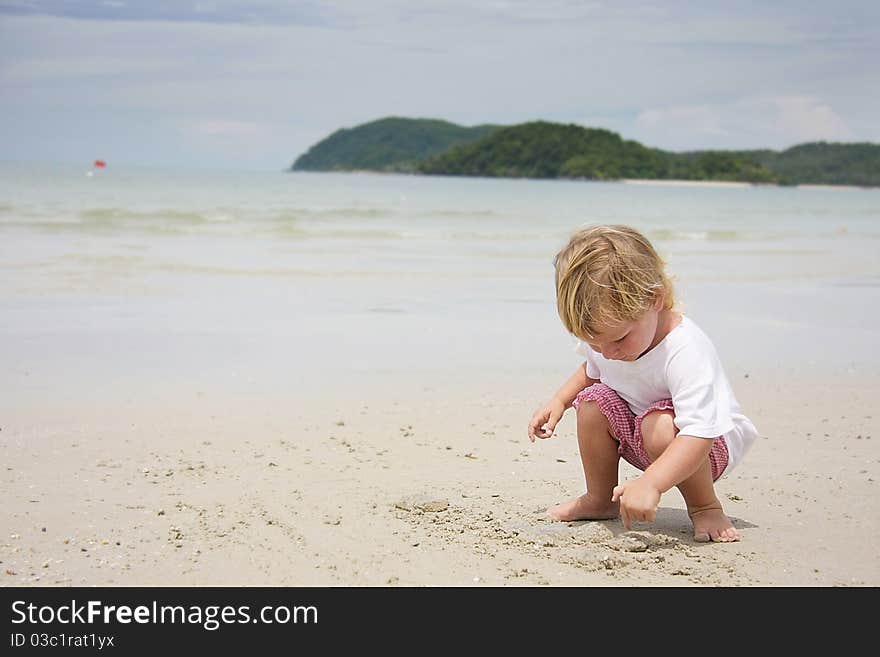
{"x":651,"y":390}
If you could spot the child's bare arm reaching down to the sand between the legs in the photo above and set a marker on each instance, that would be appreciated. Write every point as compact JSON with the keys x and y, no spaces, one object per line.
{"x":639,"y":498}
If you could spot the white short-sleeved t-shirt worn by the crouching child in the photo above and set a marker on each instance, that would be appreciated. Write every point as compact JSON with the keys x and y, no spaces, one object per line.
{"x":684,"y":367}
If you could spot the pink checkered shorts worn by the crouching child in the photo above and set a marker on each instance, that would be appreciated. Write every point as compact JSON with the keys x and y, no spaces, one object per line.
{"x":627,"y":428}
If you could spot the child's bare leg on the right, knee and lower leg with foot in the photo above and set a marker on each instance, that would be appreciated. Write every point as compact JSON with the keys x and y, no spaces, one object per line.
{"x":698,"y":490}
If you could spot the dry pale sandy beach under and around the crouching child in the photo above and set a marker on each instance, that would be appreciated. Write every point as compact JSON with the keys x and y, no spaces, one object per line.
{"x":438,"y":486}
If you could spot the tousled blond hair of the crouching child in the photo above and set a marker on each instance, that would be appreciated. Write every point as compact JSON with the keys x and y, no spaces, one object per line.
{"x":608,"y":275}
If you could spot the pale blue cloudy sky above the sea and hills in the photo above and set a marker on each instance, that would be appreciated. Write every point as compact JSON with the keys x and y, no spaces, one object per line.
{"x":252,"y":85}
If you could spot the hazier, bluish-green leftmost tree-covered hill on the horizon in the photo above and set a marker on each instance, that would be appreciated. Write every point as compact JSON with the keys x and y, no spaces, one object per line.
{"x":389,"y":144}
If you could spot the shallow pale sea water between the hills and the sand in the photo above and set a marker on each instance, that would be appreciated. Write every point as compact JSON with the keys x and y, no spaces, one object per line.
{"x":122,"y":282}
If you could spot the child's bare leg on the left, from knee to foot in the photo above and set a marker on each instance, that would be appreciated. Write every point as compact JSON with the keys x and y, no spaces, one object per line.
{"x":599,"y":458}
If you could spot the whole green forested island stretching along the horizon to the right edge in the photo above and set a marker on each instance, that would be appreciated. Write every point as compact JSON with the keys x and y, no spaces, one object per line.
{"x":545,"y":150}
